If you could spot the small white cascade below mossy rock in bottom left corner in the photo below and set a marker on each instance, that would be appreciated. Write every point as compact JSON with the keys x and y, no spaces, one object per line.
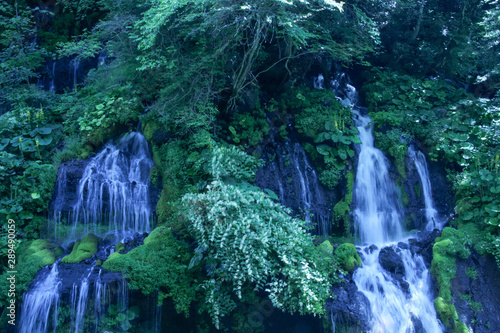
{"x":40,"y":304}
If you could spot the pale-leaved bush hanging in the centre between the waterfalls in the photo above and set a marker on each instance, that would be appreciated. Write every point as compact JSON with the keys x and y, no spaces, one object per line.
{"x":245,"y":238}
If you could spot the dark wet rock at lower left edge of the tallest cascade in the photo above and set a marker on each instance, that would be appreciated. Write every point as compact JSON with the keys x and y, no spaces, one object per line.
{"x":350,"y":309}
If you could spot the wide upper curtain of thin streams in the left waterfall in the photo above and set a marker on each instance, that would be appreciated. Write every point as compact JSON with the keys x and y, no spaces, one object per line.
{"x":113,"y":194}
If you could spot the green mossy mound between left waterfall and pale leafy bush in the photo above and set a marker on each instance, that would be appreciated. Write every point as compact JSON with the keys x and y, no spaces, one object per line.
{"x":161,"y":263}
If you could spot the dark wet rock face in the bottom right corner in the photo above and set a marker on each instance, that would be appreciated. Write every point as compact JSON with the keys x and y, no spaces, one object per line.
{"x":476,"y":293}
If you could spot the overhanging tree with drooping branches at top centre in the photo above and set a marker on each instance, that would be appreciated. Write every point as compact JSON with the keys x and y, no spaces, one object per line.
{"x":223,"y":51}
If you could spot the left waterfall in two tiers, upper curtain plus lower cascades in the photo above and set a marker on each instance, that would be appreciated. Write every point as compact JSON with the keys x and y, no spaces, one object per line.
{"x":108,"y":195}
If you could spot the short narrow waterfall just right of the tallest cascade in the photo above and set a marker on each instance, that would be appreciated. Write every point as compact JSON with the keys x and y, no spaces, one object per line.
{"x":431,"y":214}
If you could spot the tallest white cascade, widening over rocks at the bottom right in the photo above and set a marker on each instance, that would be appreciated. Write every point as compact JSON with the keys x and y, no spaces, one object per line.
{"x":397,"y":305}
